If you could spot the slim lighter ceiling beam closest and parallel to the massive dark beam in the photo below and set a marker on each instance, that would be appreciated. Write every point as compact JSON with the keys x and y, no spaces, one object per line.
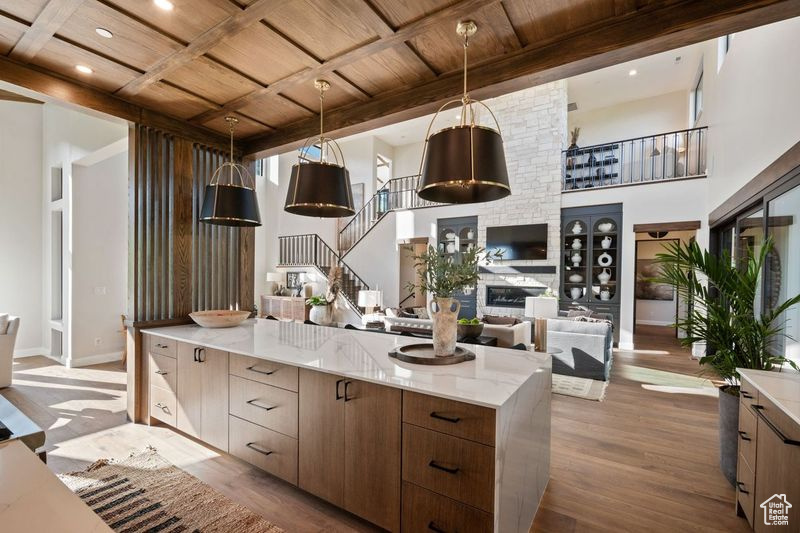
{"x":409,"y":31}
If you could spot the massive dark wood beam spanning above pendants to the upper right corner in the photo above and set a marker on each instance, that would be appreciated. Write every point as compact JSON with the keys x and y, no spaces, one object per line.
{"x":608,"y":43}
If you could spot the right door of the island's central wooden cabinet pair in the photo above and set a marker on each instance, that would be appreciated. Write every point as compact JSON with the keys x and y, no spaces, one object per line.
{"x":372,"y":452}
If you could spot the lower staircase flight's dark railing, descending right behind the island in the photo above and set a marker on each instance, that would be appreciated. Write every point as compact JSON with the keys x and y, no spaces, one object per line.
{"x":309,"y":250}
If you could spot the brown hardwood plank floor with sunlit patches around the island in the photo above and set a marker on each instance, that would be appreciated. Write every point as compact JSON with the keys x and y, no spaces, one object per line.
{"x":643,"y":459}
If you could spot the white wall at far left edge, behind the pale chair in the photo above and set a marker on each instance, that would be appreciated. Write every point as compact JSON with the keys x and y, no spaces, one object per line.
{"x":21,"y":221}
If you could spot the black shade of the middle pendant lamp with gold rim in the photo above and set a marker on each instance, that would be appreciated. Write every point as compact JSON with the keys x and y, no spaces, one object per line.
{"x":319,"y":190}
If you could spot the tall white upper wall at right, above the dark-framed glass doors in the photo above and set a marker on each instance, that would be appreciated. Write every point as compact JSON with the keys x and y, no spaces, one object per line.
{"x":751,"y":105}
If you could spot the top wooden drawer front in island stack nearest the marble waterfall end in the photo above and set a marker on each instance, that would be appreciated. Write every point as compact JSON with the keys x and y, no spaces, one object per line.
{"x":459,"y":419}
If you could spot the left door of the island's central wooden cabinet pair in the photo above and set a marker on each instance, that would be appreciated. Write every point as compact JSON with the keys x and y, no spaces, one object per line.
{"x":321,"y":435}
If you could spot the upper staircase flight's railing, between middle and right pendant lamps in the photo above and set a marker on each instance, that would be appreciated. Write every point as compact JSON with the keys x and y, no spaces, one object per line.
{"x":396,"y":194}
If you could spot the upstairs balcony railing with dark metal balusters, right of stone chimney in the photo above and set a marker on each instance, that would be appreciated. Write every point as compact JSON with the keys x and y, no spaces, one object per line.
{"x":665,"y":156}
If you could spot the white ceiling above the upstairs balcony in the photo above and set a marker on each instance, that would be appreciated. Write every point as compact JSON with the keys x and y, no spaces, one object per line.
{"x":655,"y":75}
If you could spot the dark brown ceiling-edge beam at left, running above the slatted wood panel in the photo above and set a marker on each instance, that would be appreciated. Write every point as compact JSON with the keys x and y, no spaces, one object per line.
{"x":61,"y":88}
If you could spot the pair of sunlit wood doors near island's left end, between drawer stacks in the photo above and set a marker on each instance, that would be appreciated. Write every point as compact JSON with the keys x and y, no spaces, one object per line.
{"x":202,"y":410}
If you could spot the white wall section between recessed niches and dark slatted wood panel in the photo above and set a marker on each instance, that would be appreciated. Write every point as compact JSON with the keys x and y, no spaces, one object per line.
{"x":99,"y":259}
